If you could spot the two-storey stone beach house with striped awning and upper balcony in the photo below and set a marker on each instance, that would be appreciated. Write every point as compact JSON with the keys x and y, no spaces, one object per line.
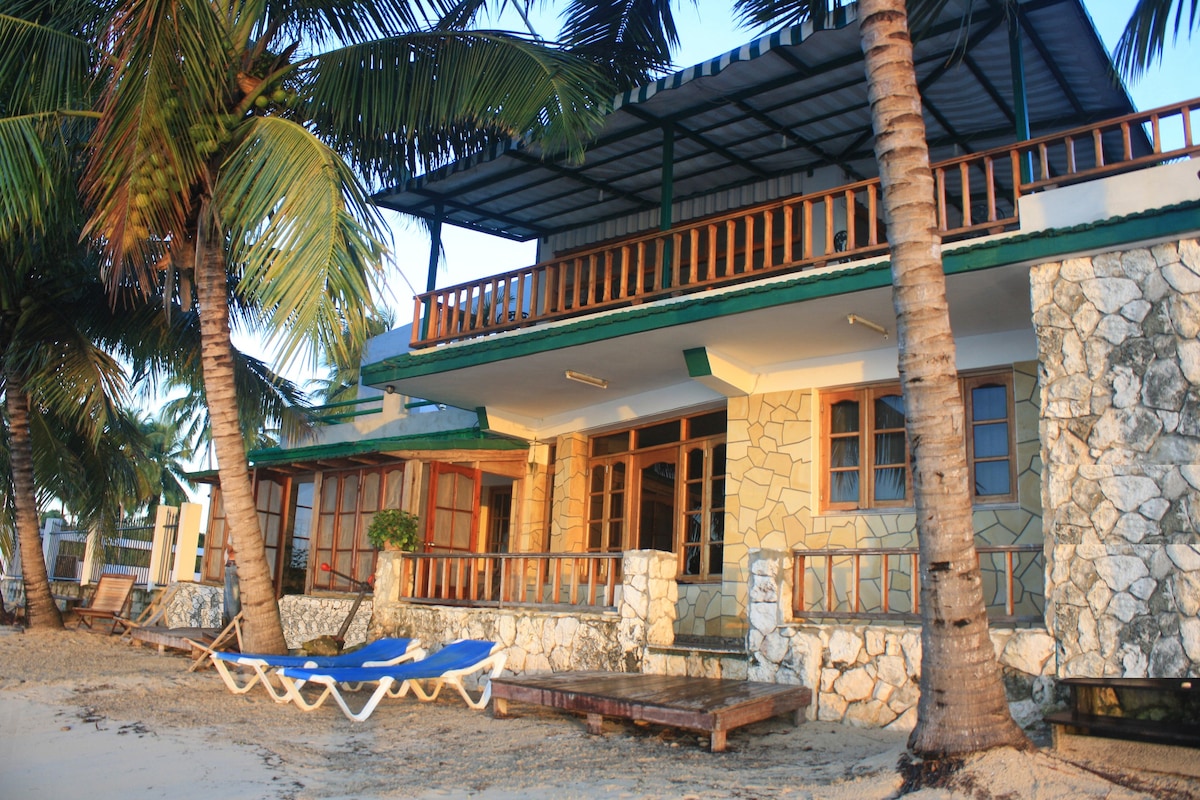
{"x":676,"y":443}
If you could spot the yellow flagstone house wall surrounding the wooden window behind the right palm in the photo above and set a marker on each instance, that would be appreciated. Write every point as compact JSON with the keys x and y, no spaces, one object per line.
{"x":771,"y":502}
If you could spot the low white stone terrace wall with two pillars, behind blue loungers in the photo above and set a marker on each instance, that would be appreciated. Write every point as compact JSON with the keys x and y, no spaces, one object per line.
{"x":548,"y":641}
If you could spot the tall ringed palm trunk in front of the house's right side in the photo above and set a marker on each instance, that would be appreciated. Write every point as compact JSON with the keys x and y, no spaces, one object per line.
{"x":963,"y":707}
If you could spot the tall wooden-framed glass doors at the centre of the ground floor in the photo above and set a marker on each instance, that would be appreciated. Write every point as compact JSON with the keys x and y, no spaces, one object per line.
{"x":662,"y":486}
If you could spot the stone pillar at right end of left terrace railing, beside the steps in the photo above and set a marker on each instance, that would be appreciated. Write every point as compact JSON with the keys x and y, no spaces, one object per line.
{"x":649,"y":598}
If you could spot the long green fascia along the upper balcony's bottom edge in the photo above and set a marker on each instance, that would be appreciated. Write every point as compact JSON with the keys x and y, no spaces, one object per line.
{"x":1043,"y":245}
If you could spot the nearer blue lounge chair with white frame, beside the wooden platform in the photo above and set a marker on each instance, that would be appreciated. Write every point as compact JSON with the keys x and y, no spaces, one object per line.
{"x":427,"y":677}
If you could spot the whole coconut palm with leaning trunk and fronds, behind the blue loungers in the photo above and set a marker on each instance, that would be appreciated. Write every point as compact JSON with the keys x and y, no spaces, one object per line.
{"x":224,"y":155}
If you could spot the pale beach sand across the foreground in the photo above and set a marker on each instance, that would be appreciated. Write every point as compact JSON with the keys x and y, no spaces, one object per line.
{"x":93,"y":717}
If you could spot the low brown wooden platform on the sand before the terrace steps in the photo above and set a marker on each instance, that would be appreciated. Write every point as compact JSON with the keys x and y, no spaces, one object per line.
{"x":706,"y":705}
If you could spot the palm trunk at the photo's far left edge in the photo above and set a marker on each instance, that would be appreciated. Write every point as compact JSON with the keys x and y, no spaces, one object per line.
{"x":40,"y":607}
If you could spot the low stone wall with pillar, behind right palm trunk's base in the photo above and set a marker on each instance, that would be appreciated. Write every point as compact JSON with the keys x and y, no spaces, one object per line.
{"x":869,"y":676}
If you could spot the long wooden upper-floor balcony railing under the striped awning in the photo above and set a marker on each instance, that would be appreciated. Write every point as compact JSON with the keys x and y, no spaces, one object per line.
{"x":977,"y":195}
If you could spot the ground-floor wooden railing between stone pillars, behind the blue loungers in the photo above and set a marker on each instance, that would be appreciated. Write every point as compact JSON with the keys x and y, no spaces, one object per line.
{"x":545,"y":580}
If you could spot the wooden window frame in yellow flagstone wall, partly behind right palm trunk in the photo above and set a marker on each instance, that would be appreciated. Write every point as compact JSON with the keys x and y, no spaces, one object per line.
{"x":866,"y":396}
